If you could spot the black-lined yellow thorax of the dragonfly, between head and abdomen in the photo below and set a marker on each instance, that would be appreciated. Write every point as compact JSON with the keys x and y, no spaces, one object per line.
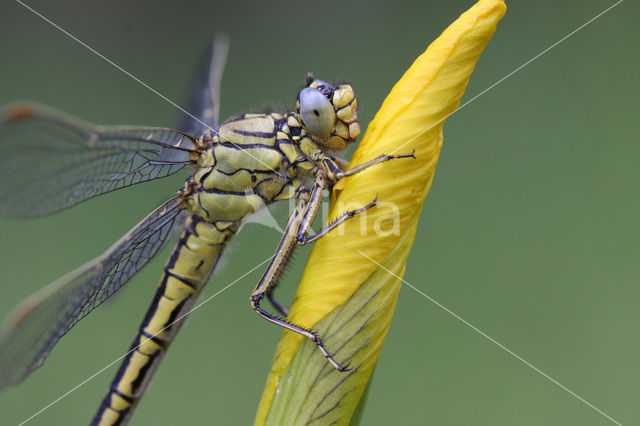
{"x":246,"y":163}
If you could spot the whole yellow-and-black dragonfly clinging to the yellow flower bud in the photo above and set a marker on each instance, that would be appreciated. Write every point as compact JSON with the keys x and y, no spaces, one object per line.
{"x":237,"y":167}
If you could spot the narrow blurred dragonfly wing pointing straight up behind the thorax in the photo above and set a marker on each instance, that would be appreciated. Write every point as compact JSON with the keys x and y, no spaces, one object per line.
{"x":204,"y":91}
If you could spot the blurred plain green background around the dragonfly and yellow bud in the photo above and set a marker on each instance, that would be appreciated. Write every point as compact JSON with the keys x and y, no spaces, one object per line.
{"x":531,"y":231}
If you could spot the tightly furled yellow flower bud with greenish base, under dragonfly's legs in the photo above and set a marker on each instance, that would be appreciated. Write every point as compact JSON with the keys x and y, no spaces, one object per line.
{"x":344,"y":294}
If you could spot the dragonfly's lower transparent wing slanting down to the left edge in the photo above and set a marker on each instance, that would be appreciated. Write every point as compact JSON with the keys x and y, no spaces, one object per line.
{"x":34,"y":327}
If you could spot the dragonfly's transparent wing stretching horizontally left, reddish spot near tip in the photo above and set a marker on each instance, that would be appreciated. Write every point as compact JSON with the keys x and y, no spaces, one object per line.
{"x":50,"y":161}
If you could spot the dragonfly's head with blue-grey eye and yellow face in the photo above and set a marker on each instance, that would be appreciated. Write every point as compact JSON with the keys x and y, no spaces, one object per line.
{"x":329,"y":112}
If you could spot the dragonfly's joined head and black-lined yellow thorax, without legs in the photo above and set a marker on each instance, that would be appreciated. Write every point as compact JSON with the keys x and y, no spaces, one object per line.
{"x":253,"y":160}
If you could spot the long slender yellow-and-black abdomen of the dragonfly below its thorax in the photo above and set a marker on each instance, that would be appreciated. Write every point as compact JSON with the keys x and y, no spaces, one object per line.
{"x":185,"y":274}
